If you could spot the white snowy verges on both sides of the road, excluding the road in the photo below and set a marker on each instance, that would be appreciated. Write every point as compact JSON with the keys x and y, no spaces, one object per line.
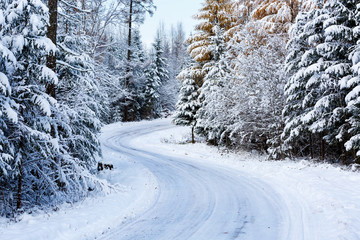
{"x":325,"y":199}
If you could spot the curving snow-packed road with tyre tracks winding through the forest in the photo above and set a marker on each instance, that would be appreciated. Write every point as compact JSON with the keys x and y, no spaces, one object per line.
{"x":199,"y":201}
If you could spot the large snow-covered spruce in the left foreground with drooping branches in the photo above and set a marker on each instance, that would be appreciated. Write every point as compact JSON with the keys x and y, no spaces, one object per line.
{"x":43,"y":172}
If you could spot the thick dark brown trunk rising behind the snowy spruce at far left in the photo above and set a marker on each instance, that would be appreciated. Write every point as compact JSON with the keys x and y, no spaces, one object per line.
{"x":51,"y":34}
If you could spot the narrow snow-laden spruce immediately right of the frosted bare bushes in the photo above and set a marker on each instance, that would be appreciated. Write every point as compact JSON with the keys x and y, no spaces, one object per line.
{"x":303,"y":89}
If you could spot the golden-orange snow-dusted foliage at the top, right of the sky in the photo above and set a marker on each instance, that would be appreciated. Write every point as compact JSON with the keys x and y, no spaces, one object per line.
{"x":240,"y":18}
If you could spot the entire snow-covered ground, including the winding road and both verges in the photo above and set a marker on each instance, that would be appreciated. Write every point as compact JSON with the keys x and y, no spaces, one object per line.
{"x":170,"y":190}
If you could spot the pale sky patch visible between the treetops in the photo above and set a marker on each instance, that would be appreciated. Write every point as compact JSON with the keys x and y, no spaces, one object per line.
{"x":170,"y":12}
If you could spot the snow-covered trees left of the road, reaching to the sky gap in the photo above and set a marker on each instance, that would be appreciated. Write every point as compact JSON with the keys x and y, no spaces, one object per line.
{"x":66,"y":68}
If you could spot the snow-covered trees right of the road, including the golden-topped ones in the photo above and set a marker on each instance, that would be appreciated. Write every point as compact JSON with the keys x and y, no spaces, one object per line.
{"x":278,"y":76}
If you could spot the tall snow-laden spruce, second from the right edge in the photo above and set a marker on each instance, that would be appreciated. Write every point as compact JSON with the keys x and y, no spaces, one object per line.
{"x":328,"y":114}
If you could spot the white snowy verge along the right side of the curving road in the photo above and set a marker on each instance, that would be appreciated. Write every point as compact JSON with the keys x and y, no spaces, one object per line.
{"x":329,"y":196}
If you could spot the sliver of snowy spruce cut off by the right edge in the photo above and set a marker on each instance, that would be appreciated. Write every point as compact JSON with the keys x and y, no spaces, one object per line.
{"x":352,"y":85}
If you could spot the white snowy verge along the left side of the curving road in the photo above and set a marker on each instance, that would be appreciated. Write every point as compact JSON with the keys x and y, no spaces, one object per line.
{"x":96,"y":215}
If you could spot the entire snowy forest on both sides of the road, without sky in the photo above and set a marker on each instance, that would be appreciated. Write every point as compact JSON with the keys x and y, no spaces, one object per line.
{"x":277,"y":76}
